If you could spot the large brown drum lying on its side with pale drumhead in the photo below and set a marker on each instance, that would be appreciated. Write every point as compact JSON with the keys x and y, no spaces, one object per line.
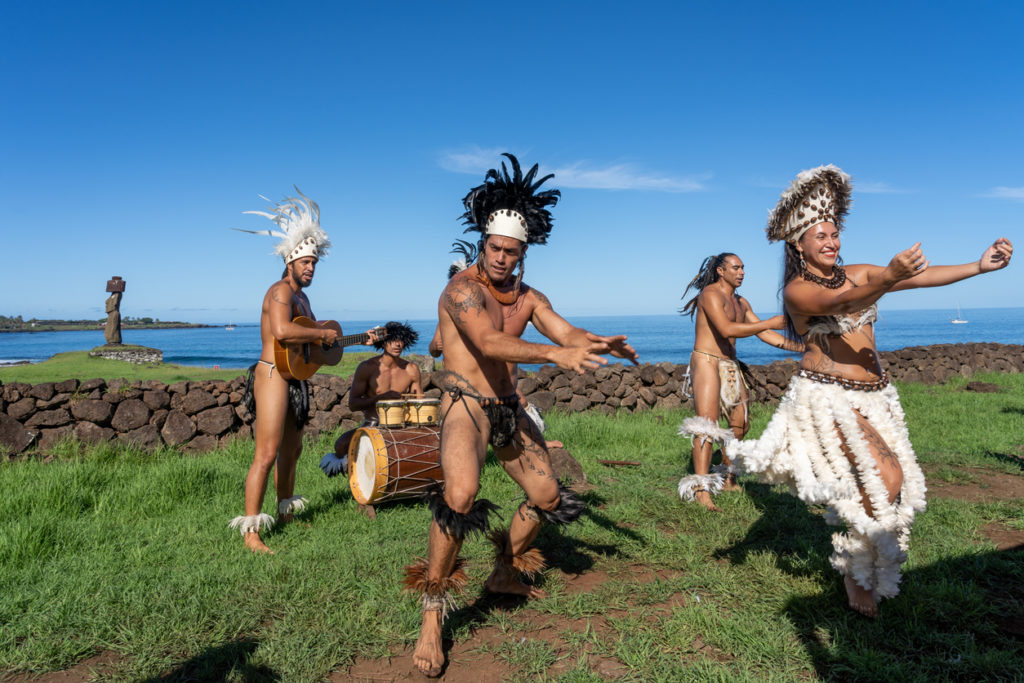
{"x":390,"y":464}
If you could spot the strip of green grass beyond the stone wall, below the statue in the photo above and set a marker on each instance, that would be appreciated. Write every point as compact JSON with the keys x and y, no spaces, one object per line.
{"x":78,"y":365}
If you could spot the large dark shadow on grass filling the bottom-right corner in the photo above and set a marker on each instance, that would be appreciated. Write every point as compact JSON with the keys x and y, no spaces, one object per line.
{"x":960,"y":619}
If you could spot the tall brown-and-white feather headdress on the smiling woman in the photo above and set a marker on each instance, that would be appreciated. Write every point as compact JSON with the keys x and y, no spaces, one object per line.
{"x":817,"y":196}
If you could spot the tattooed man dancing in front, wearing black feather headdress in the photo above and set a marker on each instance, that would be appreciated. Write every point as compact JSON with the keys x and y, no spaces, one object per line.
{"x":480,"y":405}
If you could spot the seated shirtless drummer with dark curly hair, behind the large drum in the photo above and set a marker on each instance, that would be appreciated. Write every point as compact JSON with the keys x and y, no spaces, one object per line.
{"x":381,"y":378}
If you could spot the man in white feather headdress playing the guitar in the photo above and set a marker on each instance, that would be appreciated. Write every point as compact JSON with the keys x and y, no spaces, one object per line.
{"x":282,"y":406}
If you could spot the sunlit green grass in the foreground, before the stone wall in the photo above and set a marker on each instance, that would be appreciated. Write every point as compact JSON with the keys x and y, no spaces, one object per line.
{"x":130,"y":551}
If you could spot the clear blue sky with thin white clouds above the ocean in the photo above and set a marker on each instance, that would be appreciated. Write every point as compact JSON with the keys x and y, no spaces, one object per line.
{"x":136,"y":135}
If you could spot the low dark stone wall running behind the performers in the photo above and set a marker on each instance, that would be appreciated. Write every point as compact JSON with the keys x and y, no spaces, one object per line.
{"x":203,"y":416}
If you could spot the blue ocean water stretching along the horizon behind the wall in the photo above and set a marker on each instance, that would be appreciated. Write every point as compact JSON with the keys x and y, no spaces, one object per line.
{"x":657,"y":338}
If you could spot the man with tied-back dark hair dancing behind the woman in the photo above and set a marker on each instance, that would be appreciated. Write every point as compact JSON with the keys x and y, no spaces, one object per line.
{"x":716,"y":374}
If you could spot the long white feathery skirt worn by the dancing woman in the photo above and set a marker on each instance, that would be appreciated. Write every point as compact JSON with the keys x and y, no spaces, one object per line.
{"x":802,"y":448}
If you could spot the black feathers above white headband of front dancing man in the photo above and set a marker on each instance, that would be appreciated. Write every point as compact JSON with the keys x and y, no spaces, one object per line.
{"x":517,"y":193}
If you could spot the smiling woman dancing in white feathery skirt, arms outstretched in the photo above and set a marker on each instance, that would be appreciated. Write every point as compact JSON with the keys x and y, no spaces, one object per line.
{"x":839,"y":437}
